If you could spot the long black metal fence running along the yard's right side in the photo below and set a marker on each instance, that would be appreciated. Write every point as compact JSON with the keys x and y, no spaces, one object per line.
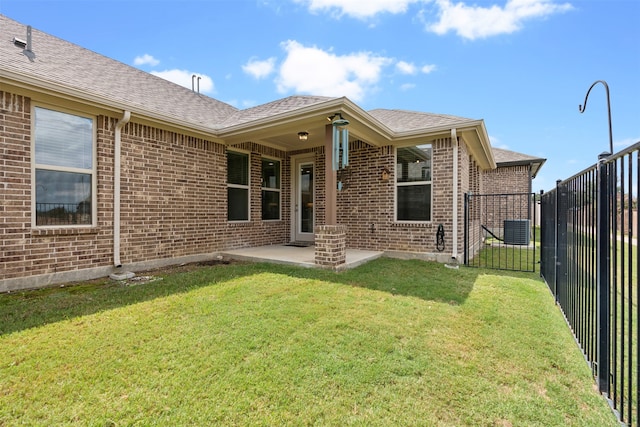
{"x":589,"y":260}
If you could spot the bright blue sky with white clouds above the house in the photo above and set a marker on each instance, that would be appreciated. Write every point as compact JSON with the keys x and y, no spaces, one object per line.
{"x":523,"y":66}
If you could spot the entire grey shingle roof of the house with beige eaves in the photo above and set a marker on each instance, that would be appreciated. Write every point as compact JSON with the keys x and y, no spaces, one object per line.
{"x":60,"y":68}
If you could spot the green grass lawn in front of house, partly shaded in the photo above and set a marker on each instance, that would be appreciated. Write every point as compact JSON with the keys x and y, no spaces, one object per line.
{"x":389,"y":343}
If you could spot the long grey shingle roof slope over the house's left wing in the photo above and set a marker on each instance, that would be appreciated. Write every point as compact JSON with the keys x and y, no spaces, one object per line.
{"x":72,"y":66}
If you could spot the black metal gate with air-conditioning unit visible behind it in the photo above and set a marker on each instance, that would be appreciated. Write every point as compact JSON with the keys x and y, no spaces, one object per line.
{"x":501,"y":231}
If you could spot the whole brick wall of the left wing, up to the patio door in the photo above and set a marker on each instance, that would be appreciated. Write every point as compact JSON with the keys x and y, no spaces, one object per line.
{"x":173,"y":202}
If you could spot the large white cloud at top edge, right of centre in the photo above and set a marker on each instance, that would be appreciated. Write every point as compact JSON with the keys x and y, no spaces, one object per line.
{"x":473,"y":22}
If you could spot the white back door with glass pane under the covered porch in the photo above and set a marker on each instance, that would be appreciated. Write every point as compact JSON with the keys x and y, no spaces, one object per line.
{"x":304,"y":217}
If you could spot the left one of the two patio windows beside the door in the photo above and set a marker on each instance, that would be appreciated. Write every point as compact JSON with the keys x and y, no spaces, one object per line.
{"x":237,"y":186}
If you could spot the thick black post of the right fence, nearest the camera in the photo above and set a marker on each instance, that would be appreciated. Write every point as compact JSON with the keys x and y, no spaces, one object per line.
{"x":602,"y":272}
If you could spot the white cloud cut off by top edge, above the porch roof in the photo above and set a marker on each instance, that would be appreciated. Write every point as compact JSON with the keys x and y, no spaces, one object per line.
{"x":359,"y":9}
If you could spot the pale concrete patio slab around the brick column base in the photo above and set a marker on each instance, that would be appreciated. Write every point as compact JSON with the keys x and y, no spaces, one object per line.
{"x":293,"y":255}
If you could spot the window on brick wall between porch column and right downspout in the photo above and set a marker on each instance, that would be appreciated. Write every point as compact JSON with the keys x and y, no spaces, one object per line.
{"x":413,"y":183}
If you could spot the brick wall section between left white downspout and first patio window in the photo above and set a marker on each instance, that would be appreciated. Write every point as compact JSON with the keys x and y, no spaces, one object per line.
{"x":171,"y":188}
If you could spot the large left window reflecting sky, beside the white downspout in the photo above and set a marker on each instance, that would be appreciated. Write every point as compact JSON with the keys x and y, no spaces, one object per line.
{"x":64,"y":168}
